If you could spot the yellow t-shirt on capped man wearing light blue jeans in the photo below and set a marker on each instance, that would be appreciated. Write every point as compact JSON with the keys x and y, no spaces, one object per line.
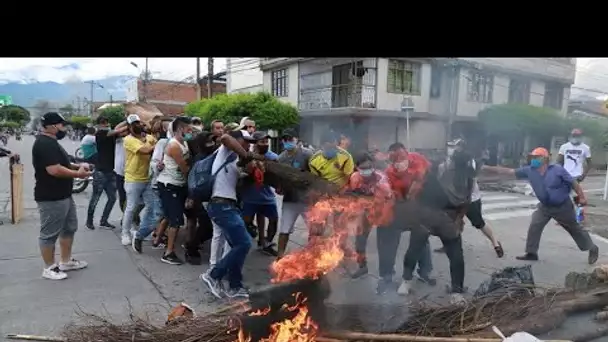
{"x":137,"y":164}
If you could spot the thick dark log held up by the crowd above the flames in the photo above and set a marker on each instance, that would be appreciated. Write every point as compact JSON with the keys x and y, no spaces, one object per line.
{"x":284,"y":176}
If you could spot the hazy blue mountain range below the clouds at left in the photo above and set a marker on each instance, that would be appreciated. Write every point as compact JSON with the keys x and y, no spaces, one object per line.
{"x":27,"y":93}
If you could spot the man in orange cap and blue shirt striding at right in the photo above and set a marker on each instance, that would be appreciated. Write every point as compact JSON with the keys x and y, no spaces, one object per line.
{"x":552,"y":185}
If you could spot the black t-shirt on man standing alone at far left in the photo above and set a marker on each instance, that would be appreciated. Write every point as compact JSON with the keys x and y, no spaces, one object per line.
{"x":47,"y":152}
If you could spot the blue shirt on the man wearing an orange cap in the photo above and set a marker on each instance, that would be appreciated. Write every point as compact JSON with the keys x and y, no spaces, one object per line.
{"x":553,"y":188}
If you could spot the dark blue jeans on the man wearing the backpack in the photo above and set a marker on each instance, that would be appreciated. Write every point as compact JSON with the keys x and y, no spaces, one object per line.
{"x":228,"y":217}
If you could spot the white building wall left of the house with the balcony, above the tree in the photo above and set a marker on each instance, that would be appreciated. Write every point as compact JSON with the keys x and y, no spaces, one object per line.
{"x":243,"y":75}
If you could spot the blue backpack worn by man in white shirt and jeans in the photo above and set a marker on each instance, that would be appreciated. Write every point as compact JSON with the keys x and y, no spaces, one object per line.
{"x":200,"y":178}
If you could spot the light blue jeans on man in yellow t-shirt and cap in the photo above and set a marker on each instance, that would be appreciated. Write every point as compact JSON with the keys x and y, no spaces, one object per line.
{"x":136,"y":191}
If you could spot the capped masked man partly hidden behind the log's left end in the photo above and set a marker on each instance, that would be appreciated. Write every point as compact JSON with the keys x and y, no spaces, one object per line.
{"x":293,"y":201}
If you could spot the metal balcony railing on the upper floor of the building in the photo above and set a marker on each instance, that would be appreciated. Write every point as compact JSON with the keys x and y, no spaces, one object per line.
{"x":338,"y":96}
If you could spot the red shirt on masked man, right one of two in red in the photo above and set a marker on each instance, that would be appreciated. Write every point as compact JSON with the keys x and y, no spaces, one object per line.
{"x":401,"y":181}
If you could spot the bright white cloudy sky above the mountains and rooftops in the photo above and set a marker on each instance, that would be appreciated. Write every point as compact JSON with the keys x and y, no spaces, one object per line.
{"x":592,"y":73}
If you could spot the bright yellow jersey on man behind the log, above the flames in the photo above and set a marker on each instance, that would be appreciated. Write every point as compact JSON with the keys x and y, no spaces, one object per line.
{"x":336,"y":170}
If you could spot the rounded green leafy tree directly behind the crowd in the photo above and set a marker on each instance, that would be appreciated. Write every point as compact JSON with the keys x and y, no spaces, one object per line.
{"x":267,"y":111}
